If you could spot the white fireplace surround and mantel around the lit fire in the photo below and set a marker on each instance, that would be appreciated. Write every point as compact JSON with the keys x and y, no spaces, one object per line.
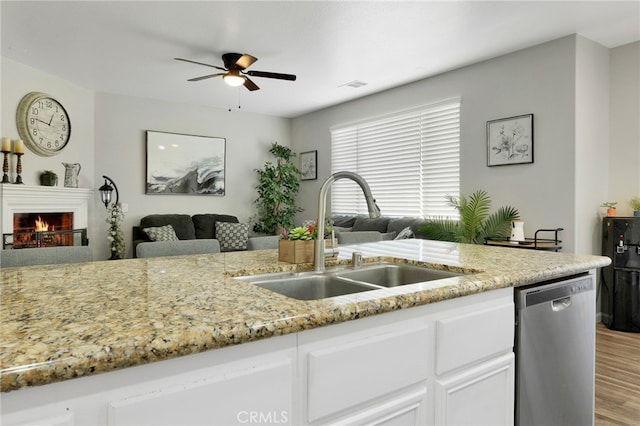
{"x":44,"y":199}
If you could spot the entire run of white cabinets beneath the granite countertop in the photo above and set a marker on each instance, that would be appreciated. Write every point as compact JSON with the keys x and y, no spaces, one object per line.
{"x":447,"y":363}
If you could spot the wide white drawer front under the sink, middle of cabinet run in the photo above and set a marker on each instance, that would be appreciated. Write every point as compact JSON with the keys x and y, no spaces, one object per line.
{"x":355,"y":371}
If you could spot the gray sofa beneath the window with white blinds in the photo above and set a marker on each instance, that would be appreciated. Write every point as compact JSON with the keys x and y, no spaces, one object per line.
{"x":355,"y":229}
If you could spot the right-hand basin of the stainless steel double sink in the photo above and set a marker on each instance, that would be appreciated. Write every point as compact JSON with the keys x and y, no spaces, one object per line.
{"x":393,"y":274}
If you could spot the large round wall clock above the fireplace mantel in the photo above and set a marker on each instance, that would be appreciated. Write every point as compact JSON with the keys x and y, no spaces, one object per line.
{"x":43,"y":124}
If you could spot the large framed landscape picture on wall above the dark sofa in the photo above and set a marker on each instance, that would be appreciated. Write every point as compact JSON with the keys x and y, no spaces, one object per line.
{"x":184,"y":164}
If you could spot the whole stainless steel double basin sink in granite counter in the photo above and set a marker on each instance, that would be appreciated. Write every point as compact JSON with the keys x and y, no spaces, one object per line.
{"x":339,"y":281}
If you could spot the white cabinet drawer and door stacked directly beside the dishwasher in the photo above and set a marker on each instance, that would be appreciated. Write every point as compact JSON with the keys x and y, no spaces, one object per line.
{"x":475,"y":366}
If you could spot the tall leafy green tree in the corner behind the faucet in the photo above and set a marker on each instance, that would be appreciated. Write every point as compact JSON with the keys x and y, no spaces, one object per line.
{"x":278,"y":185}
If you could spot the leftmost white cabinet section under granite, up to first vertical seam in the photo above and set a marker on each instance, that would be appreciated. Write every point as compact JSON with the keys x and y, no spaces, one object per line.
{"x":245,"y":384}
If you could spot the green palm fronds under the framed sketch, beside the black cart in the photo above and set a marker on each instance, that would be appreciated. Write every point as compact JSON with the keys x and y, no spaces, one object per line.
{"x":476,"y":223}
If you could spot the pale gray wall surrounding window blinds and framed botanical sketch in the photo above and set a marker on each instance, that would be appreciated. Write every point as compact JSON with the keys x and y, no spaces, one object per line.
{"x":538,"y":80}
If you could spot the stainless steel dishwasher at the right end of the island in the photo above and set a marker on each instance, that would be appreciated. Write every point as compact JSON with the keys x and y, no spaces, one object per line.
{"x":555,"y":353}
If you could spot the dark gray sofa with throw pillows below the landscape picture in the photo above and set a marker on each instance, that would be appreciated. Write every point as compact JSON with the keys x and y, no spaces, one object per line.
{"x":194,"y":235}
